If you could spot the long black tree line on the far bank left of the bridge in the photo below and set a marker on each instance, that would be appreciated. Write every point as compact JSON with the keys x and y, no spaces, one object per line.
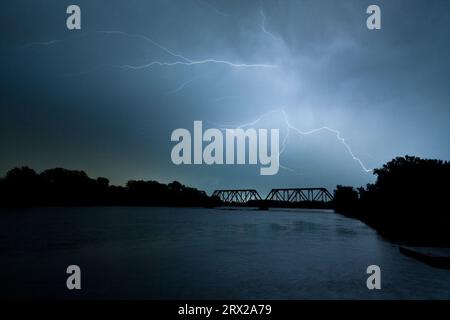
{"x":61,"y":187}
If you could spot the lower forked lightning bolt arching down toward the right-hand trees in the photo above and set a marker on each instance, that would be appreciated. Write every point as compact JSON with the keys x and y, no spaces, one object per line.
{"x":290,"y":127}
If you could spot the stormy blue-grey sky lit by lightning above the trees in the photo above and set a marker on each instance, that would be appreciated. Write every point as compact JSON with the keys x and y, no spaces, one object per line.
{"x":95,"y":99}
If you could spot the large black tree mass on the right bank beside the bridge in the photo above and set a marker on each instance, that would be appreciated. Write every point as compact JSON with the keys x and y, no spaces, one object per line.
{"x":407,"y":203}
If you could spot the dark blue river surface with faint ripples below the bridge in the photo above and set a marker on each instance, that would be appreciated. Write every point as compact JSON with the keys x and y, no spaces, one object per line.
{"x":159,"y":253}
